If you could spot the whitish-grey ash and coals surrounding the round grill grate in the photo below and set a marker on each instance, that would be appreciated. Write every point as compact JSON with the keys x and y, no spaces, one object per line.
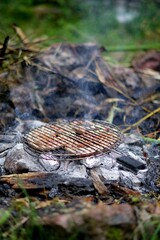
{"x":15,"y":159}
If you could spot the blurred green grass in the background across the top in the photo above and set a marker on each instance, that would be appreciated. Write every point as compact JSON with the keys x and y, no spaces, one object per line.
{"x":82,"y":21}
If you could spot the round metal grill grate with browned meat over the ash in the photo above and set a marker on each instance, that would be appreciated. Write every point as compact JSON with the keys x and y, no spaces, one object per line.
{"x":73,"y":140}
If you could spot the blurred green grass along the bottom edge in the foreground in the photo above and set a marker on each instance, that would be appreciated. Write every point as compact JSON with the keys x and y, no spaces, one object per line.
{"x":22,"y":221}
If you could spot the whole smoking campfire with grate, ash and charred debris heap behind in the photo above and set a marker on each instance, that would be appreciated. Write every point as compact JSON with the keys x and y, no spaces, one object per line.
{"x":61,"y":128}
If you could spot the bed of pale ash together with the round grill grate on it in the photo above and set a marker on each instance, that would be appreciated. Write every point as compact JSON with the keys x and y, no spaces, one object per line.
{"x":75,"y":149}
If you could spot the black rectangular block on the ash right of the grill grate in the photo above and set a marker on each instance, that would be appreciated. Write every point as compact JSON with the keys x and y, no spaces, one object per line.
{"x":131,"y":163}
